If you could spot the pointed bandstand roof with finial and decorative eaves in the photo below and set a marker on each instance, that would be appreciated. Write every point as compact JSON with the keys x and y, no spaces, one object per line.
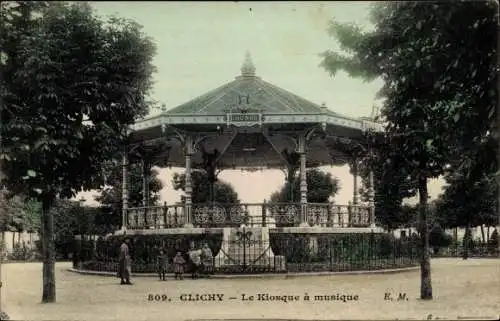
{"x":249,"y":122}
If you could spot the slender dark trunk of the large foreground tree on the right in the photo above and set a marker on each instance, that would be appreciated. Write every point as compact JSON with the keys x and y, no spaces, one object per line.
{"x":425,"y":263}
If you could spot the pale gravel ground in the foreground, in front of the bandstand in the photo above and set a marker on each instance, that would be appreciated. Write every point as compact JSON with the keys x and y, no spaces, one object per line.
{"x":461,"y":288}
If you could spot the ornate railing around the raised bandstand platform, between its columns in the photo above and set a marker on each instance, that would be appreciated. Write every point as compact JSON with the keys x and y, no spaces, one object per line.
{"x":251,"y":214}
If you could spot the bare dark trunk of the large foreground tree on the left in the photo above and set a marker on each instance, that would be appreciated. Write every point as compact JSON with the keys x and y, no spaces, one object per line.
{"x":49,"y":282}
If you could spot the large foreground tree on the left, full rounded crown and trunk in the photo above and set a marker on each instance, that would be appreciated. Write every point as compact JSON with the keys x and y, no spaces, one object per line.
{"x":86,"y":81}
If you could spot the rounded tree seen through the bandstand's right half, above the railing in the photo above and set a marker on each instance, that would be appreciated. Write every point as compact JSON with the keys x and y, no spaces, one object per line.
{"x":320,"y":187}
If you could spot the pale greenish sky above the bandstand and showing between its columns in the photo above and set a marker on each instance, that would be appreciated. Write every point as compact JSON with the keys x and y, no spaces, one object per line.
{"x":201,"y":45}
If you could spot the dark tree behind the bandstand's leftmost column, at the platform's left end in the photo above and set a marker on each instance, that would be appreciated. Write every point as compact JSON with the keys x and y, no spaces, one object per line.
{"x":110,"y":196}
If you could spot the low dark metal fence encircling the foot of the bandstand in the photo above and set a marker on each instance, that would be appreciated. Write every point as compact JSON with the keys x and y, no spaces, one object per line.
{"x":281,"y":253}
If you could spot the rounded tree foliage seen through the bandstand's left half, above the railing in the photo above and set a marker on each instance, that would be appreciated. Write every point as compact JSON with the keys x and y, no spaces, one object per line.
{"x":223,"y":192}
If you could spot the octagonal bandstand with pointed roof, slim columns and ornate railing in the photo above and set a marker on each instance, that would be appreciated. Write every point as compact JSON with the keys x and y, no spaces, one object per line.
{"x":249,"y":124}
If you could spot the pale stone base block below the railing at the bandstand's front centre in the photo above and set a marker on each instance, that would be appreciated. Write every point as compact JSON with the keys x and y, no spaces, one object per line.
{"x":259,"y":253}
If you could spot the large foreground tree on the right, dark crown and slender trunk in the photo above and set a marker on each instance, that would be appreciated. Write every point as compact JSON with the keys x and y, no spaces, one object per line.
{"x":437,"y":61}
